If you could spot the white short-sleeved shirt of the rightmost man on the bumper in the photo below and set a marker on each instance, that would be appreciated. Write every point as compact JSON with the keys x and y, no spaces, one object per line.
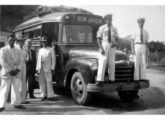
{"x":136,"y":36}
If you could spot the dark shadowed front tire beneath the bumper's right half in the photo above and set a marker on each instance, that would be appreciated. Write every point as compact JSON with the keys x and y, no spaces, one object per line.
{"x":128,"y":96}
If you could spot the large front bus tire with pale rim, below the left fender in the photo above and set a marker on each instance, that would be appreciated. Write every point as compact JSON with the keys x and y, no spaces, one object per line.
{"x":78,"y":89}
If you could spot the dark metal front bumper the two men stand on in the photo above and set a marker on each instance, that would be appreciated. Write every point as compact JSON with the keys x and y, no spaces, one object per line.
{"x":119,"y":86}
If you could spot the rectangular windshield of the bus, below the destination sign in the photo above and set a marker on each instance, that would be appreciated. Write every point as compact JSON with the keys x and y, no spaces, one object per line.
{"x":78,"y":33}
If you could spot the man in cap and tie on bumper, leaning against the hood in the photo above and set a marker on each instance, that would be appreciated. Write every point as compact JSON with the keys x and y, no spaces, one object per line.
{"x":107,"y":37}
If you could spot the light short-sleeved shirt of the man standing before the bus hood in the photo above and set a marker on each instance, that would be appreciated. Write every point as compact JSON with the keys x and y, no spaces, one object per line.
{"x":103,"y":33}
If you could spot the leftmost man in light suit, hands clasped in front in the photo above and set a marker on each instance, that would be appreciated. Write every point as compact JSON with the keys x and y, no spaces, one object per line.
{"x":10,"y":74}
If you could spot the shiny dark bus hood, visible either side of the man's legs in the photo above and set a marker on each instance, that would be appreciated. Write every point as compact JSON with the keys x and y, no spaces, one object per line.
{"x":94,"y":53}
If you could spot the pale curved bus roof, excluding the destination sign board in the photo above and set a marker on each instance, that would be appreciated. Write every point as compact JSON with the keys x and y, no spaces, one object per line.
{"x":52,"y":17}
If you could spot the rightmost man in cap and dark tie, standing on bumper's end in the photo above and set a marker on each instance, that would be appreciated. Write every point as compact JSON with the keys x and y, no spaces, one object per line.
{"x":140,"y":43}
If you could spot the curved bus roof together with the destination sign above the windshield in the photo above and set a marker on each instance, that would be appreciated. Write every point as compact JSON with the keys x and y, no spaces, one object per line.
{"x":65,"y":17}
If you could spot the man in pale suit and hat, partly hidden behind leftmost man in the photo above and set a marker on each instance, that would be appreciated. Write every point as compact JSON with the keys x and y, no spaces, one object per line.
{"x":24,"y":58}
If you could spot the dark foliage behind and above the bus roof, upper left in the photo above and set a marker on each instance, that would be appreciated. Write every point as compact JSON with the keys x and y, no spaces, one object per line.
{"x":12,"y":15}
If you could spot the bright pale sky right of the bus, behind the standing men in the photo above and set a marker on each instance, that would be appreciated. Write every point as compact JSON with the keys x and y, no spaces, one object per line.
{"x":125,"y":18}
